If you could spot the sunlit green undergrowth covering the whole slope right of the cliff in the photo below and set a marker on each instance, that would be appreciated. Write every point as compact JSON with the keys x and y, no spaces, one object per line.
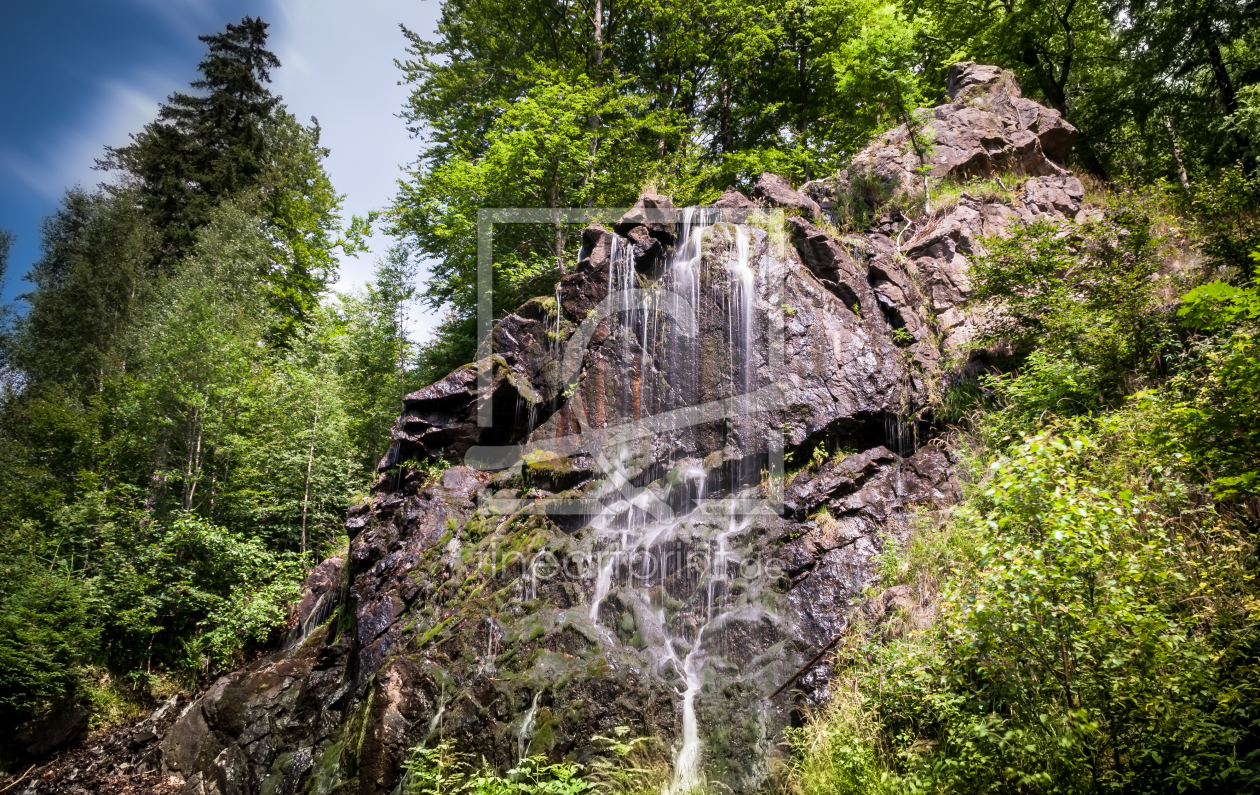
{"x":1087,"y":619}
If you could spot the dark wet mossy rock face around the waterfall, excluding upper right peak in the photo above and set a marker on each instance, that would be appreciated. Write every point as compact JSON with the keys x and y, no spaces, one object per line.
{"x":477,"y":614}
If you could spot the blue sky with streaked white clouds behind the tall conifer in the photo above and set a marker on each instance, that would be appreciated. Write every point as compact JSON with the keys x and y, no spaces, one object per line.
{"x":77,"y":76}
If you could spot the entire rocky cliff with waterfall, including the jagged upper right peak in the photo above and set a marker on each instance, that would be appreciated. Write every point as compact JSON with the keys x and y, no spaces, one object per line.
{"x":631,"y":537}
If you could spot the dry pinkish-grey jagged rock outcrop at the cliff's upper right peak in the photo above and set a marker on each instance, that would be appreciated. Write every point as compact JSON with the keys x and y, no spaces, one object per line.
{"x":918,"y":265}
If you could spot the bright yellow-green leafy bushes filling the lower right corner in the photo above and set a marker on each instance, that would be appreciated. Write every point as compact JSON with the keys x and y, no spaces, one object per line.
{"x":1084,"y":642}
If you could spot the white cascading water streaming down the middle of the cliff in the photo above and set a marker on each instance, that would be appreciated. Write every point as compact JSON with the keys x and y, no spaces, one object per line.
{"x":670,"y":569}
